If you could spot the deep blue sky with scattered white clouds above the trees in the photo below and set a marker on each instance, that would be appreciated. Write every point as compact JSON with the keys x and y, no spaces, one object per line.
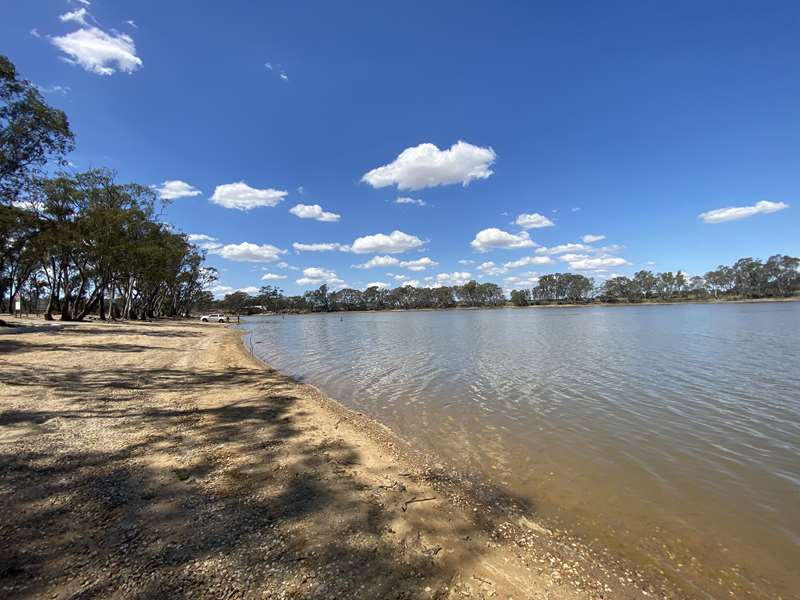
{"x":623,"y":120}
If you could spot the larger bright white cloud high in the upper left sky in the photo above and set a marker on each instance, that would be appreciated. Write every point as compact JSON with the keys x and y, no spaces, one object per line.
{"x":97,"y":51}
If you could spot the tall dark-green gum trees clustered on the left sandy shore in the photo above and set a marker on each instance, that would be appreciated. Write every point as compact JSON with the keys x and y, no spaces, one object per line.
{"x":80,"y":243}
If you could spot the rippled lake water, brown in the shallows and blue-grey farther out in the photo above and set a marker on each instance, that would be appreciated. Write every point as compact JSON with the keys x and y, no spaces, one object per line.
{"x":670,"y":434}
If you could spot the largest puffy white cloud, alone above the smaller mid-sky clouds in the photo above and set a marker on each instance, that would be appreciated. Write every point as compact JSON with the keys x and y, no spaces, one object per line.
{"x":426,"y":166}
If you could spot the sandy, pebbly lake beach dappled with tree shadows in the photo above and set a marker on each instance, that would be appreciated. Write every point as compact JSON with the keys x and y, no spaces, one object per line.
{"x":155,"y":460}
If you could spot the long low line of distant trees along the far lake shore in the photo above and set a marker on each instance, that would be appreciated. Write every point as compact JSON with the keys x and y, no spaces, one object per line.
{"x":747,"y":278}
